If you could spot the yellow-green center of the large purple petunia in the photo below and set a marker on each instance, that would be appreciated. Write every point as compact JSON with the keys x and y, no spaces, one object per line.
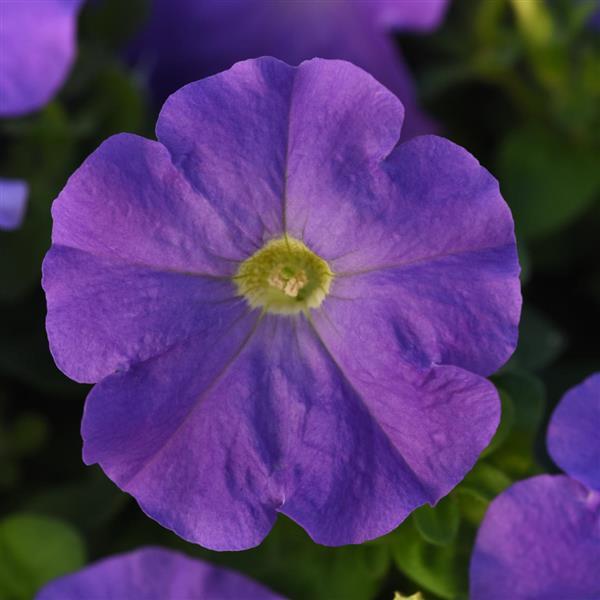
{"x":284,"y":277}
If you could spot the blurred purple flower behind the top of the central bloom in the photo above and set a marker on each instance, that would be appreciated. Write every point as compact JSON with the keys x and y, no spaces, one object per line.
{"x":189,"y":39}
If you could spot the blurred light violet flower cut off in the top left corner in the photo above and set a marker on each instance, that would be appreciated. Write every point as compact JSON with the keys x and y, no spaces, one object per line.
{"x":37,"y":47}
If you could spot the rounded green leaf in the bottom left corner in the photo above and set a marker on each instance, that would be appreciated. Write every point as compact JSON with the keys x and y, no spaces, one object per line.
{"x":34,"y":550}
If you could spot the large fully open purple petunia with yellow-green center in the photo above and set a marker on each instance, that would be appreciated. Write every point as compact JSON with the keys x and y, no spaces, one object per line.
{"x":282,"y":310}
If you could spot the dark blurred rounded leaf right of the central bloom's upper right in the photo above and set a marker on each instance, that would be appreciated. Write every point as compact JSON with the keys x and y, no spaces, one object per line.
{"x":547,"y":181}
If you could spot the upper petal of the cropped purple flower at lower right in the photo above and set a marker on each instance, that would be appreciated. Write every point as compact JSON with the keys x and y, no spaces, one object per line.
{"x":573,"y":433}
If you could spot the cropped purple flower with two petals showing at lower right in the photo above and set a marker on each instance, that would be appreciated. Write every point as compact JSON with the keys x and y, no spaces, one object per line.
{"x":541,"y":537}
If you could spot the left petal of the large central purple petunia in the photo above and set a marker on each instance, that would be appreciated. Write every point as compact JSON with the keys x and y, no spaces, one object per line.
{"x":136,"y":263}
